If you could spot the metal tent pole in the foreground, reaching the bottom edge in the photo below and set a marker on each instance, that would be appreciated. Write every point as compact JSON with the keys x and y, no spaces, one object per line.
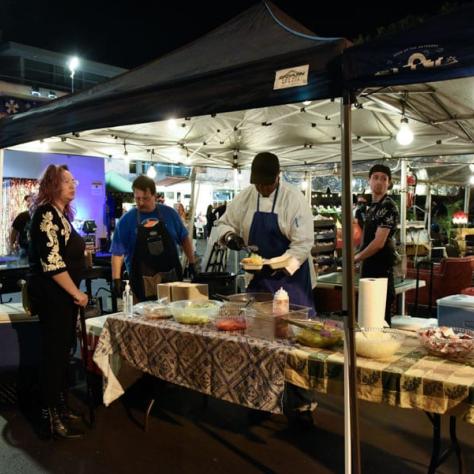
{"x":351,"y":418}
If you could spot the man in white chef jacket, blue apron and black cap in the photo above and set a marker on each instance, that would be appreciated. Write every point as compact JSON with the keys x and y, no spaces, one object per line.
{"x":276,"y":218}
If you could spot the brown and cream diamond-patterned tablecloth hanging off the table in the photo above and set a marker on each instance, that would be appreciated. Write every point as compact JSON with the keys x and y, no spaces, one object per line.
{"x":235,"y":368}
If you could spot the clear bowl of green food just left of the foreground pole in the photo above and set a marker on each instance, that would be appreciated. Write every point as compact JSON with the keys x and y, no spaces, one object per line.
{"x":318,"y":333}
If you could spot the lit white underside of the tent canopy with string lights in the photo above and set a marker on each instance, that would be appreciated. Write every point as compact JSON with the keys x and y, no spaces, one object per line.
{"x":298,"y":134}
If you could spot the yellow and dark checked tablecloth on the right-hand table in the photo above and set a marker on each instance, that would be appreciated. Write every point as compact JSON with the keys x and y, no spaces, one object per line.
{"x":411,"y":378}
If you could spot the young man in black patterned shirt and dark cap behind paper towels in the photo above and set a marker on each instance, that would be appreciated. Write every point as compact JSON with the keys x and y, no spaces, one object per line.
{"x":377,"y":252}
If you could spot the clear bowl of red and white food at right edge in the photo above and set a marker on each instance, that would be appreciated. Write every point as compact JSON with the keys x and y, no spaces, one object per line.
{"x":452,"y":343}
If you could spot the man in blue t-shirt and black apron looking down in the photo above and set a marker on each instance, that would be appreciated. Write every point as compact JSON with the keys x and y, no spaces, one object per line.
{"x":146,"y":237}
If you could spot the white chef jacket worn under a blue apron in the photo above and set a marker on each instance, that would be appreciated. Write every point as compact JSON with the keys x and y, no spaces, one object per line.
{"x":295,"y":218}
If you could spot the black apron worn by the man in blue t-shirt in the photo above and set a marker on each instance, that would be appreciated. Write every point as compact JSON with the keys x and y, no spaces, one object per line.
{"x":155,"y":259}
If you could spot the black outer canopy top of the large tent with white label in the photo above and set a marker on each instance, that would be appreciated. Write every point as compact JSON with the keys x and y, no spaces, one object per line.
{"x":233,"y":67}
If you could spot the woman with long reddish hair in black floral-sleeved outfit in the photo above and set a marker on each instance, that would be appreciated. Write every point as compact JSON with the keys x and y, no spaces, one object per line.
{"x":56,"y":255}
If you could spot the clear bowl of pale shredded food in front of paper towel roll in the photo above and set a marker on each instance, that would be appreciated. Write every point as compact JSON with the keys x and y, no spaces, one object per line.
{"x":378,"y":343}
